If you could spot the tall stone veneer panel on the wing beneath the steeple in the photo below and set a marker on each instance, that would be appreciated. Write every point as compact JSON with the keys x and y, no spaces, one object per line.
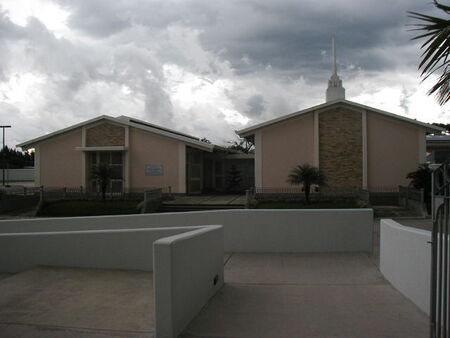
{"x":340,"y":147}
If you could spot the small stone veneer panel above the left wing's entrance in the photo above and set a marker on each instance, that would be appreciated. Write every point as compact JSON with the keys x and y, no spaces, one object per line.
{"x":105,"y":134}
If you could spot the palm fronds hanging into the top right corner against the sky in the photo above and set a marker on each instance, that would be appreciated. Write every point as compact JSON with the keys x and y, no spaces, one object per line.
{"x":436,"y":56}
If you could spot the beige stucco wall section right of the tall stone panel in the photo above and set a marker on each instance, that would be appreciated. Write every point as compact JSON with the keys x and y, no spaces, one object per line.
{"x":392,"y":150}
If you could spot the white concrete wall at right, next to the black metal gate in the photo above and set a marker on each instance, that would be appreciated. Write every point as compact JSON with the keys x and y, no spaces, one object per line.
{"x":405,"y":260}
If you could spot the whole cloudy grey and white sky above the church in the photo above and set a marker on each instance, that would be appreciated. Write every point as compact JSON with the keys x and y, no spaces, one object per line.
{"x":203,"y":67}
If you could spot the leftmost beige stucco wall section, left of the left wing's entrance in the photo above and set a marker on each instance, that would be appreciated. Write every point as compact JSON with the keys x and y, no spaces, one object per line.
{"x":60,"y":163}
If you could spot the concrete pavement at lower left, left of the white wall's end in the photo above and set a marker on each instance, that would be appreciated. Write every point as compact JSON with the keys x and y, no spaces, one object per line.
{"x":56,"y":302}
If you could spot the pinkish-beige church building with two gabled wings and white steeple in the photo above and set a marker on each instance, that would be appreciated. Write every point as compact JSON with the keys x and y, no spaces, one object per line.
{"x":355,"y":146}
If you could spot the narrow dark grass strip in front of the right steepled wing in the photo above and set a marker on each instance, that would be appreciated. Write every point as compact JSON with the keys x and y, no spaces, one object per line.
{"x":331,"y":204}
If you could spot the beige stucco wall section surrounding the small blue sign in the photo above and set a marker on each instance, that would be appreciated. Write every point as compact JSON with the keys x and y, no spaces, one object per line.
{"x":147,"y":148}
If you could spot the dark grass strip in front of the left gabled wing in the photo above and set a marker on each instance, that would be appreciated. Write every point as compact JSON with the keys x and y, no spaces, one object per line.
{"x":66,"y":208}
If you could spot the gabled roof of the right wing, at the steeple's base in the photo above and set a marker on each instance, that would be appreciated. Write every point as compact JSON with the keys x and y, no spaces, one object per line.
{"x":250,"y":130}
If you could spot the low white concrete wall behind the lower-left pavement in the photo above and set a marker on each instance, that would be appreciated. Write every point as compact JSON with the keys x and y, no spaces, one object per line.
{"x":129,"y":249}
